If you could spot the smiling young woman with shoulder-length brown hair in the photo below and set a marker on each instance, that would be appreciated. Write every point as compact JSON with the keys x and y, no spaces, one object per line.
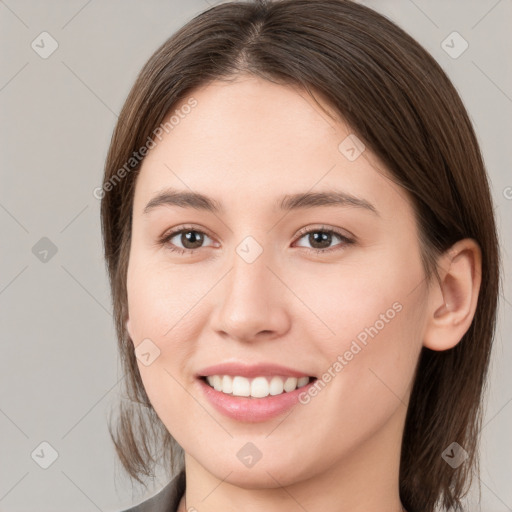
{"x":304,"y":266}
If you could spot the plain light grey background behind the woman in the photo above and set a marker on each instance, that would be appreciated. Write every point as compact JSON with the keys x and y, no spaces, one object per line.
{"x":59,"y":367}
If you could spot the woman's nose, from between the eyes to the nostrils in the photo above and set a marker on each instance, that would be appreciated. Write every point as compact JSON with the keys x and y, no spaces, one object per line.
{"x":253,"y":301}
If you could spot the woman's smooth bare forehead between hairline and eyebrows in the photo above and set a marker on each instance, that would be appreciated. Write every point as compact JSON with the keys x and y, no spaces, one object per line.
{"x":245,"y":139}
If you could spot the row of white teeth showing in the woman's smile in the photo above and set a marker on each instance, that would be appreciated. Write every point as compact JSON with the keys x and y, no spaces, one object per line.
{"x":259,"y":387}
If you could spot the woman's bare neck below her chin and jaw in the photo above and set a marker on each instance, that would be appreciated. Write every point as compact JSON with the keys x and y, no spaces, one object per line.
{"x":364,"y":480}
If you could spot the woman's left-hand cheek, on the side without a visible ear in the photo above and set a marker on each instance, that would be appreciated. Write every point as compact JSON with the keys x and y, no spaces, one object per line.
{"x":161,"y":309}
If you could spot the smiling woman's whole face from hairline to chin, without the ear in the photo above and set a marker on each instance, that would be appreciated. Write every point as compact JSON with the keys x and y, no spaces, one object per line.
{"x":329,"y":292}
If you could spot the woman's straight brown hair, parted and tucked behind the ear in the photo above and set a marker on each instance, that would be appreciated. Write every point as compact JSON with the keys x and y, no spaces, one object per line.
{"x":397,"y":99}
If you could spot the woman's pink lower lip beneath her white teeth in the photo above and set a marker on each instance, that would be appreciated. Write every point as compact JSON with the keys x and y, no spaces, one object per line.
{"x":252,"y":410}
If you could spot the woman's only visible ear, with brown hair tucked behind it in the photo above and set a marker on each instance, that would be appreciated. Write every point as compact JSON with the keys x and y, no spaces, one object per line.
{"x":452,"y":301}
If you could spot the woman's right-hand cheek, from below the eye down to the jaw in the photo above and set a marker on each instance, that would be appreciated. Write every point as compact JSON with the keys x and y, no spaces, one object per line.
{"x":369,"y":331}
